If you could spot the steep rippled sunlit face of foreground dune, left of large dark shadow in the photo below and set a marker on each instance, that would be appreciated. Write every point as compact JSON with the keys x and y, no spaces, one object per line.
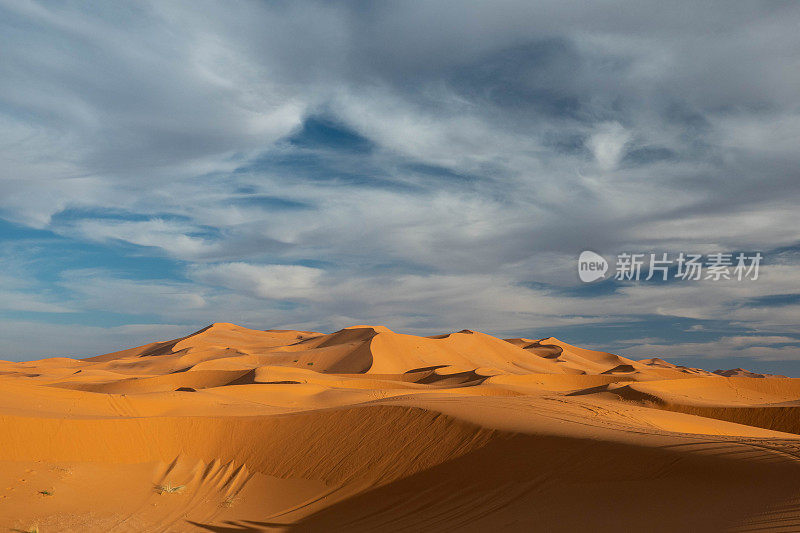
{"x":317,"y":445}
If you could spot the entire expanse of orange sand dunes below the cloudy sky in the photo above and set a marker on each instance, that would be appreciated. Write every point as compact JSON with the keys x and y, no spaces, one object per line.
{"x":364,"y":429}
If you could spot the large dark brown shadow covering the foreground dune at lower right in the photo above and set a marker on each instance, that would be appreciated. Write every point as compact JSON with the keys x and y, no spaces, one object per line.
{"x":533,"y":482}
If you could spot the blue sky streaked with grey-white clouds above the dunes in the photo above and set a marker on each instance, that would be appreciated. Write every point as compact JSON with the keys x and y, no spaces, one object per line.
{"x":428,"y":166}
